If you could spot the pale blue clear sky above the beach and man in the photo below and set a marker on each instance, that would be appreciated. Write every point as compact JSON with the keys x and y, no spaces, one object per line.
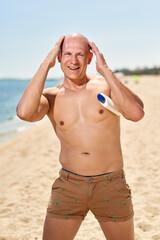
{"x":126,"y":32}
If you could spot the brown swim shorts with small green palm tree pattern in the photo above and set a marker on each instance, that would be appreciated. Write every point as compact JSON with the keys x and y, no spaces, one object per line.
{"x":107,"y":196}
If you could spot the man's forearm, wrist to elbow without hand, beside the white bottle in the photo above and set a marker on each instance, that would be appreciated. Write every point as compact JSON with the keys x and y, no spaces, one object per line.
{"x":128,"y":103}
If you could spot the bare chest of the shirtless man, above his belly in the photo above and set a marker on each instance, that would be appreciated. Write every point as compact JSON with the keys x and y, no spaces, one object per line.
{"x":78,"y":108}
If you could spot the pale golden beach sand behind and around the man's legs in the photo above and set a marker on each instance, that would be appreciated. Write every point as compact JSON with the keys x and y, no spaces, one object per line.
{"x":29,"y":165}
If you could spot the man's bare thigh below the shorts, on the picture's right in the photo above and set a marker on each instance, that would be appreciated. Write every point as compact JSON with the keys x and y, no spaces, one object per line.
{"x":118,"y":230}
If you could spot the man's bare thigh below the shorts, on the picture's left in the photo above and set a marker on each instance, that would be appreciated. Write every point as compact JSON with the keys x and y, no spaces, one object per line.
{"x":60,"y":229}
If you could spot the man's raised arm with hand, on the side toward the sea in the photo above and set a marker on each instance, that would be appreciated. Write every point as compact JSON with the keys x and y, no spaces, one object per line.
{"x":33,"y":106}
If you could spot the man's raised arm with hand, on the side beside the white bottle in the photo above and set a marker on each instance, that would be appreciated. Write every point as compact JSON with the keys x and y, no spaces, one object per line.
{"x":127,"y":102}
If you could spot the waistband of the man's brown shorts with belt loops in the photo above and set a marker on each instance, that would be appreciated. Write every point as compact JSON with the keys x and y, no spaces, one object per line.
{"x":93,"y":178}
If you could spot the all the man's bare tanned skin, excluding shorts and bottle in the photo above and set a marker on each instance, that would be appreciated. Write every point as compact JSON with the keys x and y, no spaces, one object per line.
{"x":89,"y":134}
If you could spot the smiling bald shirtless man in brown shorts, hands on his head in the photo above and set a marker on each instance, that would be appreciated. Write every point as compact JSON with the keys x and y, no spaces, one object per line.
{"x":92,"y":176}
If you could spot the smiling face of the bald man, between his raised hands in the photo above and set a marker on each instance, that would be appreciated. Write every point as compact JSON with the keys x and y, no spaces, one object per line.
{"x":75,"y":57}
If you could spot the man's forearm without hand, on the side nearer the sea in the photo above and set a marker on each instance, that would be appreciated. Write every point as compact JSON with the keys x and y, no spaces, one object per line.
{"x":30,"y":101}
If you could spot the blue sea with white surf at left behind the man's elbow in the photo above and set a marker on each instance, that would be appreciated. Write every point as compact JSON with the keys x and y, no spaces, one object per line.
{"x":11,"y":91}
